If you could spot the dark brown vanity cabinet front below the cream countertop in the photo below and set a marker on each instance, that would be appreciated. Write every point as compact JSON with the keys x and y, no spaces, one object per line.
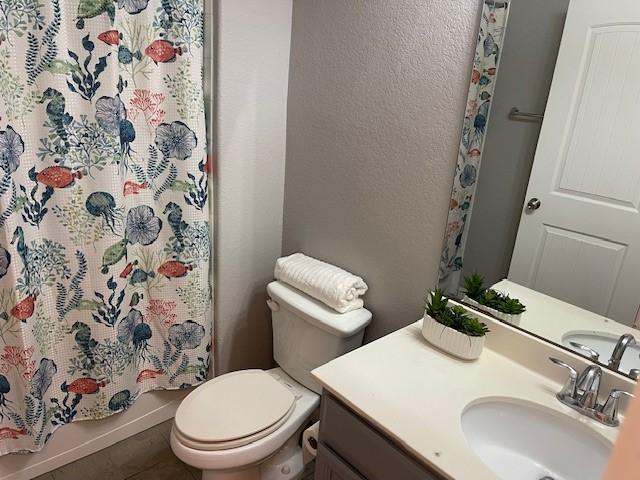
{"x":351,"y":449}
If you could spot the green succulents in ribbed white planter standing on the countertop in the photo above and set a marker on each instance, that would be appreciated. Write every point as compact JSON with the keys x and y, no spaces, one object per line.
{"x":452,"y":329}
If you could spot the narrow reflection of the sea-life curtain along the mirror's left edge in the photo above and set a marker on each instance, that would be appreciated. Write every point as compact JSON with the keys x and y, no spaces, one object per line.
{"x":483,"y":79}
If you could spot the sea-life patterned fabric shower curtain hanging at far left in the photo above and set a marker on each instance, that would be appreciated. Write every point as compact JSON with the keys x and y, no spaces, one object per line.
{"x":105,"y":245}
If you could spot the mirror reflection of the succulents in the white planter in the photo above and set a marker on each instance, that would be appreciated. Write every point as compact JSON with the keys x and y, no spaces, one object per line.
{"x":499,"y":305}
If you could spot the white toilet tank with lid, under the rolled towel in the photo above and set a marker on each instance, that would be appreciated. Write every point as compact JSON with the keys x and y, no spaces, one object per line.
{"x":307,"y":333}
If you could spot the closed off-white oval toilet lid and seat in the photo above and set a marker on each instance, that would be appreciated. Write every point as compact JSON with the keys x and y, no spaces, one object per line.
{"x":232,"y":407}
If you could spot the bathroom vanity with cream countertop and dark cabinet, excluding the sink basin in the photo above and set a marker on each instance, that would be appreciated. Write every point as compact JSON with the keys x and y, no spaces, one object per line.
{"x":399,"y":408}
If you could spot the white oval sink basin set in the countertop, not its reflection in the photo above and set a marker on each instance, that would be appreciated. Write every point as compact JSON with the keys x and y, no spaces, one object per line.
{"x":525,"y":441}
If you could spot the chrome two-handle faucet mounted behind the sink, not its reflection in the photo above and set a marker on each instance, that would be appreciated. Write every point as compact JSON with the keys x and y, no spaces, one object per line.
{"x":580,"y":392}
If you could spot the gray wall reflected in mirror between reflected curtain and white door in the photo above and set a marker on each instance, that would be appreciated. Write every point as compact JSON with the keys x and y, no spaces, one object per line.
{"x":528,"y":60}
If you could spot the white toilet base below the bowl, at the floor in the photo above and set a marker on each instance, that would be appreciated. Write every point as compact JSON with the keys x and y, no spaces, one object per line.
{"x":286,"y":464}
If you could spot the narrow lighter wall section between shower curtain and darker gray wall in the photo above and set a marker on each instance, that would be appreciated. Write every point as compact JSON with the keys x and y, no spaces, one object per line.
{"x":253,"y":45}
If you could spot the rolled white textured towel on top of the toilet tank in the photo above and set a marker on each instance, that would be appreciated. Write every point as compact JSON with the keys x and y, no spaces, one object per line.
{"x":332,"y":285}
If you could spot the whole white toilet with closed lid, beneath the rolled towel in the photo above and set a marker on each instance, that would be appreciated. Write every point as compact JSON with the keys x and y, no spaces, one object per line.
{"x":247,"y":425}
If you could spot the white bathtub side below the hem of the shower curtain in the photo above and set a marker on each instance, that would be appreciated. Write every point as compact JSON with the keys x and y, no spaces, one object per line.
{"x":77,"y":440}
